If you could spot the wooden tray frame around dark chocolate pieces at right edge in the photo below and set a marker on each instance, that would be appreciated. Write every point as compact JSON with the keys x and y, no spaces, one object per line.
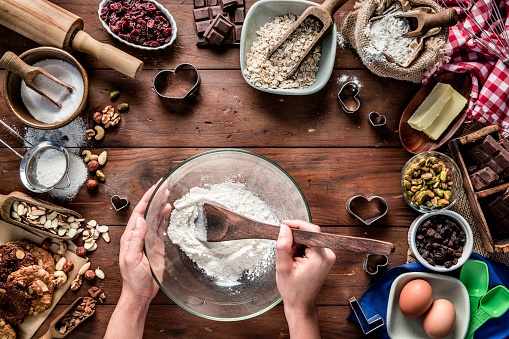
{"x":476,"y":199}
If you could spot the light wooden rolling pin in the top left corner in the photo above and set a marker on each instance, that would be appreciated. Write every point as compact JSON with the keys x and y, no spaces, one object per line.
{"x":51,"y":25}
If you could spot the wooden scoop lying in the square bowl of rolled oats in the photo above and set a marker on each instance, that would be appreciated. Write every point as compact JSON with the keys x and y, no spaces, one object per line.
{"x":323,"y":15}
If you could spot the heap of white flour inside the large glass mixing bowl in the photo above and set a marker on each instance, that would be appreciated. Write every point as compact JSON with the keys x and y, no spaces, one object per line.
{"x":224,"y":261}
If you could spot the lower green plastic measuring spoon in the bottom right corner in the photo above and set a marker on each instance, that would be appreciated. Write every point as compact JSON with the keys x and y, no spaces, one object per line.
{"x":493,"y":305}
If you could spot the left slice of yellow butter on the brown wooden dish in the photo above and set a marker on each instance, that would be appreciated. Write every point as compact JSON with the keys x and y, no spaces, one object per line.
{"x":431,"y":107}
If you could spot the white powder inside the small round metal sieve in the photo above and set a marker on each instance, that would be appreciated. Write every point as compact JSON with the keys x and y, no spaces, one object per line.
{"x":50,"y":167}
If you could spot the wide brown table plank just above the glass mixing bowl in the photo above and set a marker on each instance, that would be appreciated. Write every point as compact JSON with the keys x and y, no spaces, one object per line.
{"x":227,"y":112}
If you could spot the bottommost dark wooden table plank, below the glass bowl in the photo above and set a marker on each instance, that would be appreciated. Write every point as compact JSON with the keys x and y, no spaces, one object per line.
{"x":174,"y":322}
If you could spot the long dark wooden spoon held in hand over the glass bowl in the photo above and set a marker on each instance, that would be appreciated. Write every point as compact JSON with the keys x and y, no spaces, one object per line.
{"x":215,"y":224}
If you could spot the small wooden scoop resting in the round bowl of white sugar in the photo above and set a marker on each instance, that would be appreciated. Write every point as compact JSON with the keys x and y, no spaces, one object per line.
{"x":13,"y":63}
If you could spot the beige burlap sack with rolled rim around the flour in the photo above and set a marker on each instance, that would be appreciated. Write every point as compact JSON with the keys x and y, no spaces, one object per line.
{"x":431,"y":55}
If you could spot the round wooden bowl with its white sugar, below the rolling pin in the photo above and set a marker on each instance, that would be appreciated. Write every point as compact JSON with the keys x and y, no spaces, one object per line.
{"x":34,"y":110}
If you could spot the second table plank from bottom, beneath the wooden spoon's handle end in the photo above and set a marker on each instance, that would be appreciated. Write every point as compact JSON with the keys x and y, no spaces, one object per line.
{"x":347,"y":278}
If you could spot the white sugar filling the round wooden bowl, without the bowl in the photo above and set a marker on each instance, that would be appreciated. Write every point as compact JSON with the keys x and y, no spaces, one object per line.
{"x":41,"y":108}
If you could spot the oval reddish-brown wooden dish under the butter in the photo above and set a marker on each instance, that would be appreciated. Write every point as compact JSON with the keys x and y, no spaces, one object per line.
{"x":416,"y":141}
